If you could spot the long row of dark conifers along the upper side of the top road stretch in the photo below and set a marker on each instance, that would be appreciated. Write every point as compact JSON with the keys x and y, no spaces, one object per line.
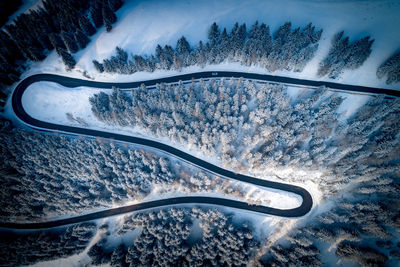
{"x":286,"y":49}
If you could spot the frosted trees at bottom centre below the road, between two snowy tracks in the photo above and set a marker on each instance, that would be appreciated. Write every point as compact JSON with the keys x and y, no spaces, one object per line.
{"x":169,"y":237}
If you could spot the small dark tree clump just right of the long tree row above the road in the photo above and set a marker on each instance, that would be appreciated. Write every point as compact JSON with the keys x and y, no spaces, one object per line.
{"x":345,"y":55}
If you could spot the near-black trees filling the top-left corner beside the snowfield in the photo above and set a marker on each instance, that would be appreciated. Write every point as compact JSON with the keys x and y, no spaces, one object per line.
{"x":60,"y":25}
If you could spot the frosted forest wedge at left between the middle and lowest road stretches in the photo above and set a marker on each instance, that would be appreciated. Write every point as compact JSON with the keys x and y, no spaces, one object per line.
{"x":48,"y":175}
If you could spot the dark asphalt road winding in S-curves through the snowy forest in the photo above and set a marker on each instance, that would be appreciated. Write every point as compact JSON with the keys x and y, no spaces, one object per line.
{"x":307,"y":202}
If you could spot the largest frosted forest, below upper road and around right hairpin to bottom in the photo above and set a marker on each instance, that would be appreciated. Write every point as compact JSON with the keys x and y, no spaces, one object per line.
{"x":261,"y":128}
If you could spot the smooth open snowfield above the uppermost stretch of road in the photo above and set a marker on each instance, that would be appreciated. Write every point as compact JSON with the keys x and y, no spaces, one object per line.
{"x":143,"y":24}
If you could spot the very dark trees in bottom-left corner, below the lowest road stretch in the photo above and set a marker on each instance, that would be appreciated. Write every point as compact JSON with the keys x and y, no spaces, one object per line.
{"x":17,"y":249}
